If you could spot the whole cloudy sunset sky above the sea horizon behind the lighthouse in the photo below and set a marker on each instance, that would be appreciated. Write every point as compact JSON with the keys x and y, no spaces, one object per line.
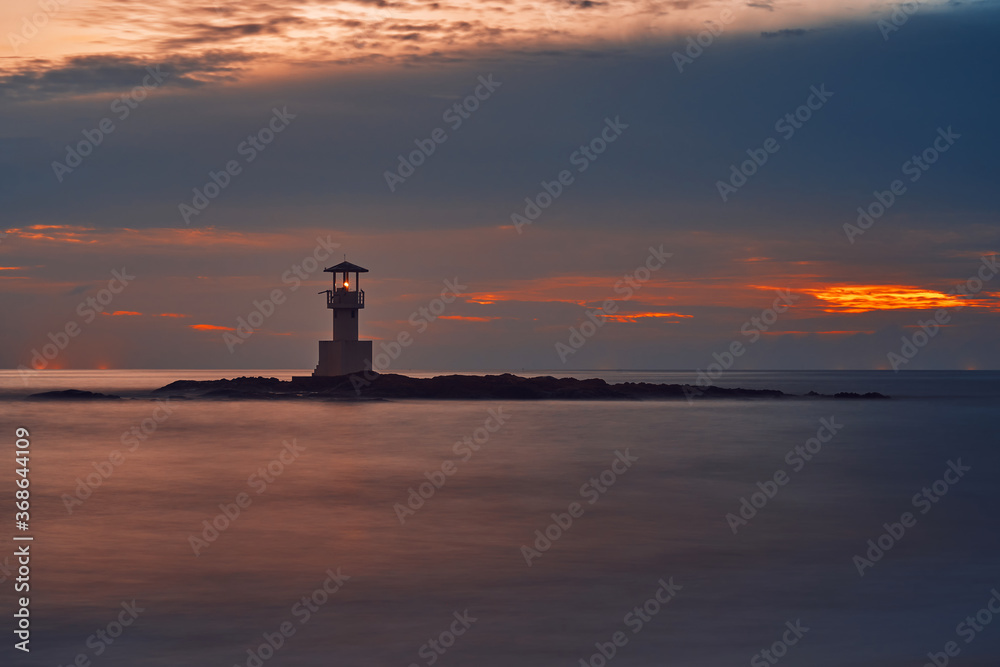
{"x":637,"y":185}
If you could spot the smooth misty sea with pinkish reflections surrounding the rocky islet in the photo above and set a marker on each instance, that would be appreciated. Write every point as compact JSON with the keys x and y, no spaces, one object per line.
{"x":800,"y":532}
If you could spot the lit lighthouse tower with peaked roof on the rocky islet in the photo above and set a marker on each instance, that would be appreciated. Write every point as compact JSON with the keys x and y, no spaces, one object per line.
{"x":344,"y":354}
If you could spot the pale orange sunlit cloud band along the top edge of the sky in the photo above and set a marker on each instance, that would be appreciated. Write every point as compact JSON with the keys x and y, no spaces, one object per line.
{"x":368,"y":31}
